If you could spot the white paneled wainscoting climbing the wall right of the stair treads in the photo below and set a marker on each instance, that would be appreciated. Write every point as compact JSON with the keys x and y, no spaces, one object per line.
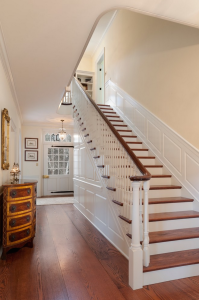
{"x":177,"y":155}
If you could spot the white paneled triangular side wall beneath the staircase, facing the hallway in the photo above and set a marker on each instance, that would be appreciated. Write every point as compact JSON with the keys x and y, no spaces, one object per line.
{"x":93,"y":199}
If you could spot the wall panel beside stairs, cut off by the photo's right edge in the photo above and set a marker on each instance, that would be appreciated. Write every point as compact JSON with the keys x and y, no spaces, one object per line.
{"x":192,"y":172}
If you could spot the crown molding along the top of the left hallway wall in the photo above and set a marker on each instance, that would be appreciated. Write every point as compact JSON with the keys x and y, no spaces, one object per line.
{"x":8,"y":73}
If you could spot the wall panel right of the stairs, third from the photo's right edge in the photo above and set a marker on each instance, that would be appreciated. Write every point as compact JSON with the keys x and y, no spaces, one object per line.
{"x":154,"y":135}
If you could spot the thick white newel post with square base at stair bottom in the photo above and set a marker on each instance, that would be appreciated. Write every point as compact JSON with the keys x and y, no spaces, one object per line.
{"x":135,"y":251}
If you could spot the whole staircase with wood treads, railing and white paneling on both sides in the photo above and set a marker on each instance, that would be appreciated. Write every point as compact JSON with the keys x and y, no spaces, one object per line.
{"x":145,"y":203}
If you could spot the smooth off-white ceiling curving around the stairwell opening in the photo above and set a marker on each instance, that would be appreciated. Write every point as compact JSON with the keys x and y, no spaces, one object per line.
{"x":45,"y":39}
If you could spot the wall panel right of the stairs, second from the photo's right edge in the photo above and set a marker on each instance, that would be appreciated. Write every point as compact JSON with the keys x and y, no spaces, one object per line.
{"x":172,"y":152}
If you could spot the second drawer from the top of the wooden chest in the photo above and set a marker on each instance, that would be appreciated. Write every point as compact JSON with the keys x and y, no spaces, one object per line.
{"x":19,"y":207}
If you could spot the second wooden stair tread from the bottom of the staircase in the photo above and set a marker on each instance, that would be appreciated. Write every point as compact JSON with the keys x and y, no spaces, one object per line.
{"x":173,"y":235}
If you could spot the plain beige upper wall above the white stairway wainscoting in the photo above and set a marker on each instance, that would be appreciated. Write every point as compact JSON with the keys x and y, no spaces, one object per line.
{"x":157,"y":63}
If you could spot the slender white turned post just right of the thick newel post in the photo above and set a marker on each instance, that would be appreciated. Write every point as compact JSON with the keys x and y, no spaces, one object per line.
{"x":146,"y":250}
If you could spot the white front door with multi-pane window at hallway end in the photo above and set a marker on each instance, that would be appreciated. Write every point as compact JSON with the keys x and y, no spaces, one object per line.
{"x":58,"y":170}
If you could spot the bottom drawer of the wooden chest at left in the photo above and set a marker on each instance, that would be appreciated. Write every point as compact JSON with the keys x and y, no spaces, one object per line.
{"x":18,"y":236}
